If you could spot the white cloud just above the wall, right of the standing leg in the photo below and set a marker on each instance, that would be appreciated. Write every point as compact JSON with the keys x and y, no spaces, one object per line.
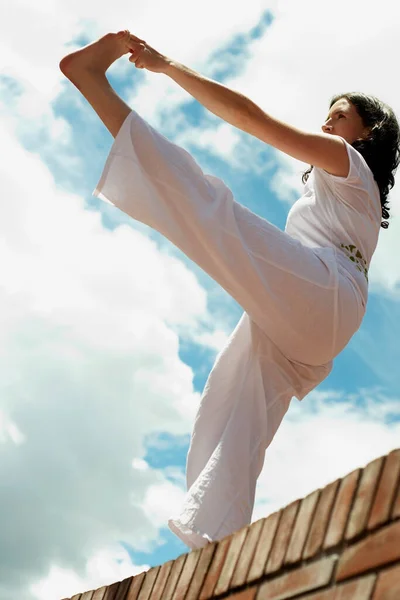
{"x":324,"y":438}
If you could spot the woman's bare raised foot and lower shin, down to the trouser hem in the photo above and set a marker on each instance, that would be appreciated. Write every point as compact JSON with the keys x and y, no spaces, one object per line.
{"x":86,"y":69}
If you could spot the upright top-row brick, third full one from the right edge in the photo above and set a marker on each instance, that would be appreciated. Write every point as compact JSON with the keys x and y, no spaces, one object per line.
{"x":341,"y":510}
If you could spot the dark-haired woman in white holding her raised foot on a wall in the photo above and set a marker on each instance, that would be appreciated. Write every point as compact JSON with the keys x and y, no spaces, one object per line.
{"x":303,"y":291}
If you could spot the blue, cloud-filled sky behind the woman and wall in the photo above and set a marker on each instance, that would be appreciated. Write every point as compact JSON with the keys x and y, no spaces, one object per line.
{"x":108,"y":332}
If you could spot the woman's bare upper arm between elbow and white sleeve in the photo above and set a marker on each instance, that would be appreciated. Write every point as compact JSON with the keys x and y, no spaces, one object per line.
{"x":321,"y":150}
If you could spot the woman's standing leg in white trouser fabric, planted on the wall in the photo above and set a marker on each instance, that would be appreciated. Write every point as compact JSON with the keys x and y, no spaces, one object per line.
{"x":245,"y":399}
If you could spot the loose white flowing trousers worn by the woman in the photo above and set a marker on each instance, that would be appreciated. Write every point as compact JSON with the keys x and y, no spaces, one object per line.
{"x":300,"y":311}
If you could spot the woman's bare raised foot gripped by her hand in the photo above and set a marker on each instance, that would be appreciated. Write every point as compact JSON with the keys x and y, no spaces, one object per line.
{"x":96,"y":57}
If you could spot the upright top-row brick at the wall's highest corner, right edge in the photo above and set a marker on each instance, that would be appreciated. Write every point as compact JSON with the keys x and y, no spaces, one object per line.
{"x":380,"y":513}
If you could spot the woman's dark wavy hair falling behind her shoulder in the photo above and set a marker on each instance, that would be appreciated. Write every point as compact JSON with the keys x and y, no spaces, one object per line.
{"x":381,"y":148}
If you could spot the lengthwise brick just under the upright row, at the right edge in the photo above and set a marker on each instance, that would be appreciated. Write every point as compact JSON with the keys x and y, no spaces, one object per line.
{"x":377,"y":549}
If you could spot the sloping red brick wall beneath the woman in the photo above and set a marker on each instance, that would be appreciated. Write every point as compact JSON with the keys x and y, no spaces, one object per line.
{"x":339,"y":543}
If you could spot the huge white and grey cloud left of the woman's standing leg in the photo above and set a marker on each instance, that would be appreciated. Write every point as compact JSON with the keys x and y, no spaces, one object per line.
{"x":89,"y":367}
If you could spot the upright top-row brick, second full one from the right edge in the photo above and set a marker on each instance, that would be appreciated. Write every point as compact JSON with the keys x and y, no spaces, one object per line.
{"x":364,"y":498}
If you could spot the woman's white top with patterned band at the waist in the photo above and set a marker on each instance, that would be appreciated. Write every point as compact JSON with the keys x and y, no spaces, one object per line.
{"x":343,"y":213}
